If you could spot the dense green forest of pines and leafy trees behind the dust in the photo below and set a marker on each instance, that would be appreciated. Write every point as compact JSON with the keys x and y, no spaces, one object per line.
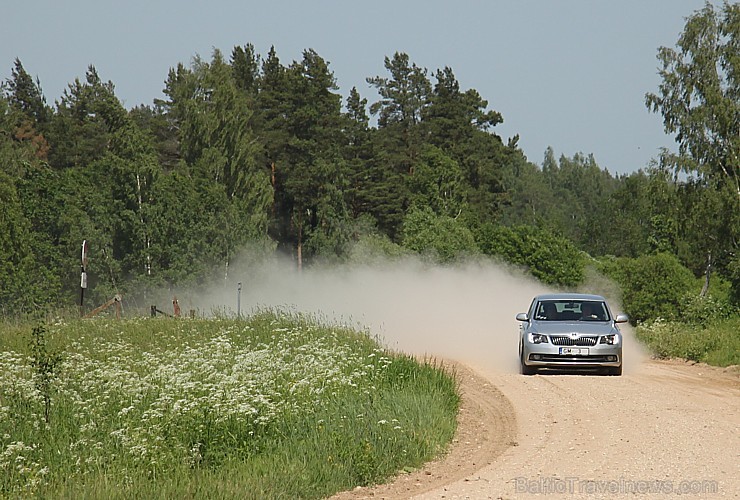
{"x":248,"y":150}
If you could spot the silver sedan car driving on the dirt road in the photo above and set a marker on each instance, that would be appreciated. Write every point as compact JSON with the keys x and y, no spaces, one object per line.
{"x":570,"y":331}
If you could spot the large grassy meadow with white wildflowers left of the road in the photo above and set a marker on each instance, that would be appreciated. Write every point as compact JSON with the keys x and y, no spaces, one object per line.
{"x":277,"y":405}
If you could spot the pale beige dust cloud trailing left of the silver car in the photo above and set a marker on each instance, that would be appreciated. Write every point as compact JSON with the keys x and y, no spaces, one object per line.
{"x":464,"y":313}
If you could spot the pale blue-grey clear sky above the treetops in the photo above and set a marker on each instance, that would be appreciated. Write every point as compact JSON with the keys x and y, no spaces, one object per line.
{"x":571,"y":74}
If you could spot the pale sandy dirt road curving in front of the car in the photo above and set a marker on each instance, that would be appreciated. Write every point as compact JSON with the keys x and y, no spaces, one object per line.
{"x":665,"y":428}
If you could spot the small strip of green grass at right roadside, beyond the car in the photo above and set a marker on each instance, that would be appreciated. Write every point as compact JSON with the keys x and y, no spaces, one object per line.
{"x":716,"y":343}
